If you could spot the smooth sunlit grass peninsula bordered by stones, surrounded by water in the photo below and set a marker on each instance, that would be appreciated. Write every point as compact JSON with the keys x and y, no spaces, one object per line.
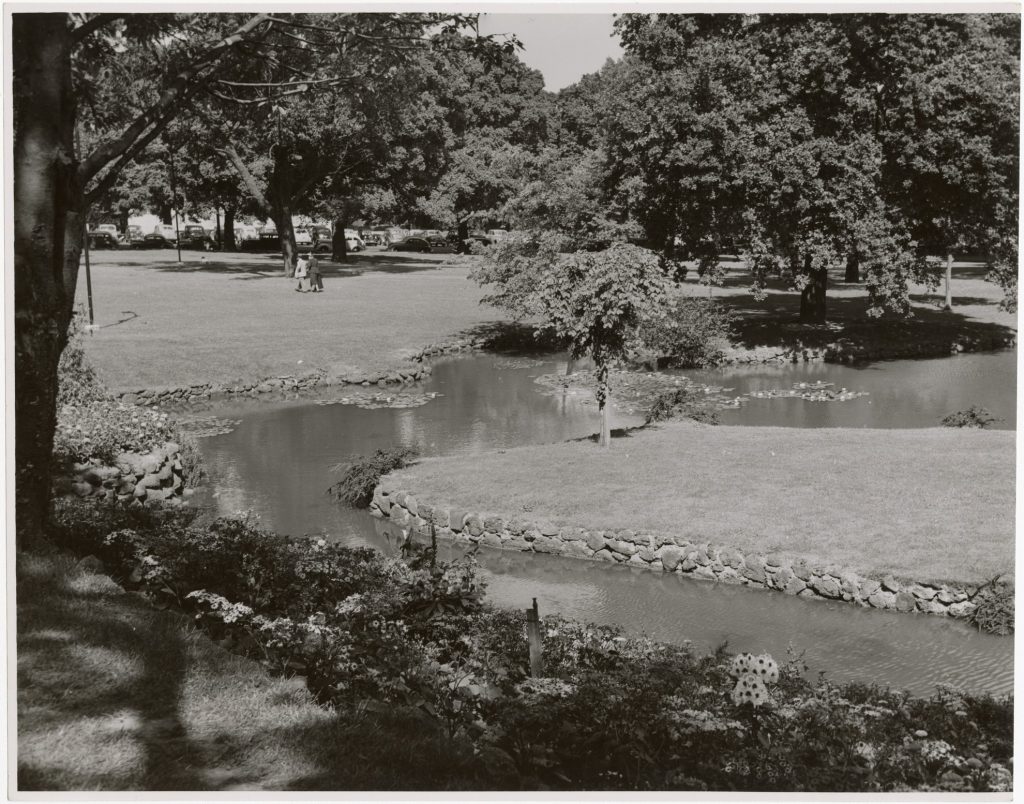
{"x":930,"y":504}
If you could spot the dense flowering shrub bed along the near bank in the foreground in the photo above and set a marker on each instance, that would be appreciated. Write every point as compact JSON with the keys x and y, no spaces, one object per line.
{"x":612,"y":712}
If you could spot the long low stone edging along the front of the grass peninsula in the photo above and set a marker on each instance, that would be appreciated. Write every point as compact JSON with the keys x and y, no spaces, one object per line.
{"x":663,"y":553}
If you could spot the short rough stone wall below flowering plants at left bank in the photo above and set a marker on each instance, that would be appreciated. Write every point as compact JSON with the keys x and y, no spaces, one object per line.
{"x":151,"y":479}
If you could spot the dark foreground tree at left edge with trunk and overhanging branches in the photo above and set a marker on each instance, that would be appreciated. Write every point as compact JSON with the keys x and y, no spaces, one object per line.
{"x":62,"y":59}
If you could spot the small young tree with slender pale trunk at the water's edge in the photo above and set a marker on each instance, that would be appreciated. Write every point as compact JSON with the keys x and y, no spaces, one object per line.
{"x":594,"y":300}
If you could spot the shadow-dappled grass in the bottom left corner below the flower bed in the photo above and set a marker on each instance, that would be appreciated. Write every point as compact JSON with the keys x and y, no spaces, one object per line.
{"x":113,"y":695}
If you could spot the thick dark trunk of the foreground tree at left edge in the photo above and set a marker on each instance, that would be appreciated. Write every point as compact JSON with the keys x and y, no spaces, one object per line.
{"x":49,"y":230}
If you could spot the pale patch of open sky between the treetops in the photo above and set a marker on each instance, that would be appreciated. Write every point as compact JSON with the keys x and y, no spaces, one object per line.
{"x":563,"y":47}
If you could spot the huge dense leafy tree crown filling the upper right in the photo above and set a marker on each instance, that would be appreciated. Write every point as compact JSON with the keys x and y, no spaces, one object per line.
{"x":814,"y":140}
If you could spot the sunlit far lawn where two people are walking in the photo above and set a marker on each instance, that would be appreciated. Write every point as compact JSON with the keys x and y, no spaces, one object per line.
{"x":235,"y":317}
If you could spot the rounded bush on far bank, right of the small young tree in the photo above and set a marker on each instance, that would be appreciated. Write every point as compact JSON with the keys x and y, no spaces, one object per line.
{"x":692,"y":333}
